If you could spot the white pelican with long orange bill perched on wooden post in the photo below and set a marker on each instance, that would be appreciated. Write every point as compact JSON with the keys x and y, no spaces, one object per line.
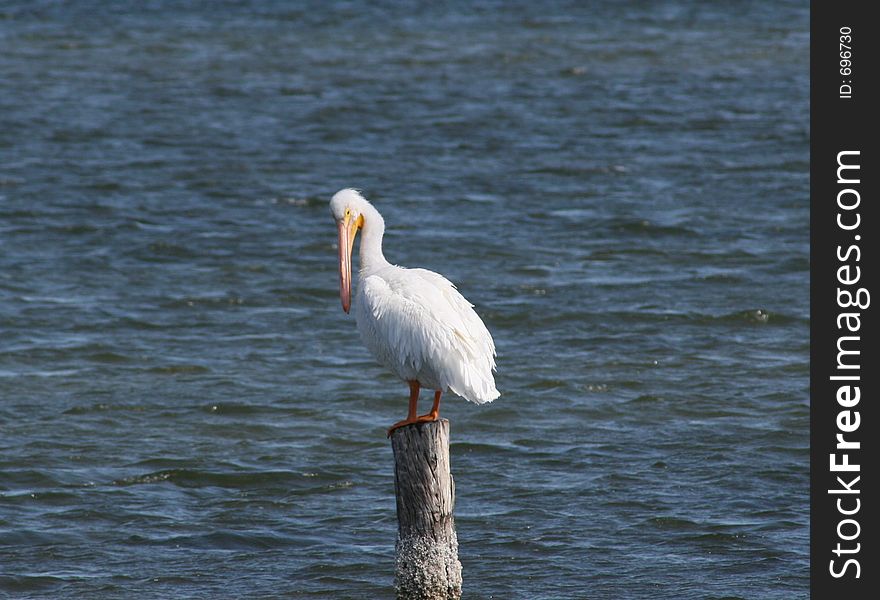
{"x":414,"y":321}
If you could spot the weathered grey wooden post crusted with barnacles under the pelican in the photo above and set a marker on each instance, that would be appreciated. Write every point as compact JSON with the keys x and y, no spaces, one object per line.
{"x":427,"y":548}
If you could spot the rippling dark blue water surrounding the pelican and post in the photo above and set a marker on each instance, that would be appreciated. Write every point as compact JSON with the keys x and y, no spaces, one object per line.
{"x":620,"y":188}
